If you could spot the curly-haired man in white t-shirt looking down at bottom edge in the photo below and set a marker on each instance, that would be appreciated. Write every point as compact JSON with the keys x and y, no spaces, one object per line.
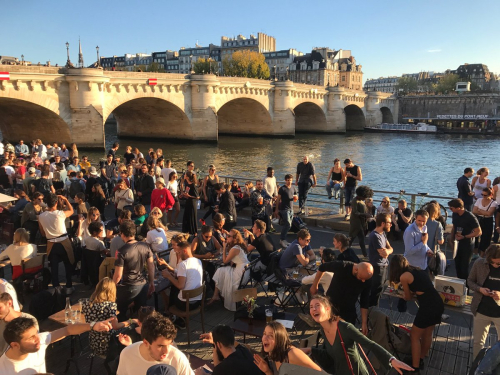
{"x":156,"y":348}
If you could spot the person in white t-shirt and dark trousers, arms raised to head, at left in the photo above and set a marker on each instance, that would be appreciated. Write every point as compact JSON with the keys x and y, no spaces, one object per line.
{"x":52,"y":224}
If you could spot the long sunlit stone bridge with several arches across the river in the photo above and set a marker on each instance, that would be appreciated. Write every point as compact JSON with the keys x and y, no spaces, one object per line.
{"x":72,"y":105}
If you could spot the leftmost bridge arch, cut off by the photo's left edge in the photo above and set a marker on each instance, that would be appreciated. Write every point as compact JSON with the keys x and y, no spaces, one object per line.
{"x":22,"y":119}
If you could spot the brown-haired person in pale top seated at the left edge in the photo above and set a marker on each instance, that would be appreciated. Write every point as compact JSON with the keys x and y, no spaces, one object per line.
{"x":19,"y":250}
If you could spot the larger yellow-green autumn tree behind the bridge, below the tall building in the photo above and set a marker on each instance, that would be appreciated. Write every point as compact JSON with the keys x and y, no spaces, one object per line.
{"x":247,"y":64}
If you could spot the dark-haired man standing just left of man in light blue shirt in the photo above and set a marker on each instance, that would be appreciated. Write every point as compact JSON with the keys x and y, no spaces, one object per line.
{"x":379,"y":250}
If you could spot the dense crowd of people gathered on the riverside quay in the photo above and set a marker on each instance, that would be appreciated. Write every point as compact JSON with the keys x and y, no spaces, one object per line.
{"x":122,"y":209}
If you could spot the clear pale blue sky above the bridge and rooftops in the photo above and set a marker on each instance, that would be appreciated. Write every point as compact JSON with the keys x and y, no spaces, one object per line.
{"x":387,"y":37}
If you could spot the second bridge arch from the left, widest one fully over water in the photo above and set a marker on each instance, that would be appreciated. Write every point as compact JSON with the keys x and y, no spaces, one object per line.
{"x":151,"y":117}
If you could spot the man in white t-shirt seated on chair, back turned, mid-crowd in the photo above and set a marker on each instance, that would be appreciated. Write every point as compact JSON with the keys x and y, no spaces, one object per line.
{"x":189,"y":276}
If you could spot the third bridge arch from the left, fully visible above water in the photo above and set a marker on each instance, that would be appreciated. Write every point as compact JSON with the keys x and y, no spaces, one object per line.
{"x":244,"y":116}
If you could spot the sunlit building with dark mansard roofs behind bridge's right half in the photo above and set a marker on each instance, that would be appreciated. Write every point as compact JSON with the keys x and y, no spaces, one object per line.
{"x":324,"y":66}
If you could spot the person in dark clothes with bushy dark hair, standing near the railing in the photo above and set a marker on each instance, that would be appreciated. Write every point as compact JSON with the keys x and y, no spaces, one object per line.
{"x":358,"y":220}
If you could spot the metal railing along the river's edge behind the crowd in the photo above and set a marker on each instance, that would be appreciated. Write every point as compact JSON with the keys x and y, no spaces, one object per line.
{"x":415,"y":202}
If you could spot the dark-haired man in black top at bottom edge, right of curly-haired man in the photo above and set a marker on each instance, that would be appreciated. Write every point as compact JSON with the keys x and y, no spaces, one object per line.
{"x":227,"y":354}
